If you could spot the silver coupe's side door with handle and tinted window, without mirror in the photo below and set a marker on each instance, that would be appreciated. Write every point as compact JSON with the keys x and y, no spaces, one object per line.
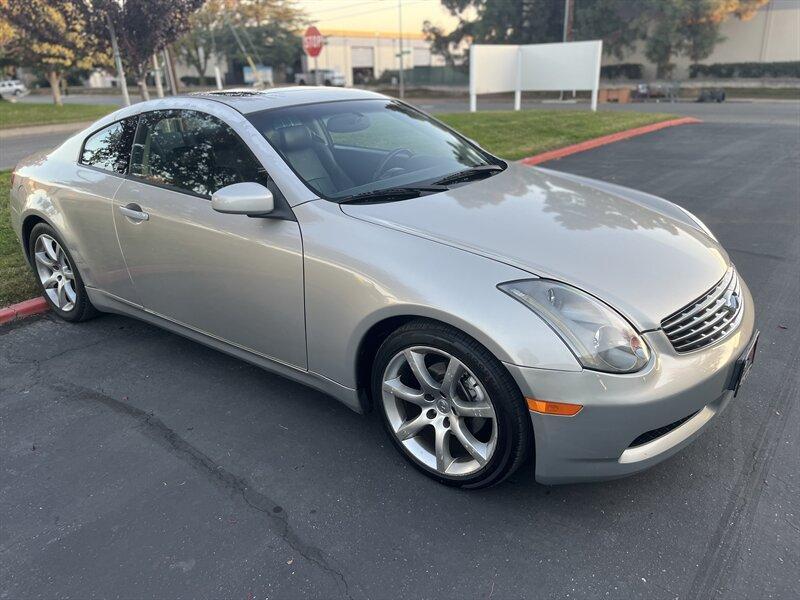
{"x":231,"y":277}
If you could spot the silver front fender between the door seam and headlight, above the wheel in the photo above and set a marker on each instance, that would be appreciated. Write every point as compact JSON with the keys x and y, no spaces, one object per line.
{"x":358,"y":274}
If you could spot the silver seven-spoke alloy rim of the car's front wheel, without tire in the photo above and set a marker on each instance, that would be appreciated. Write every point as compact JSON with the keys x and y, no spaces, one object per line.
{"x":439,"y":411}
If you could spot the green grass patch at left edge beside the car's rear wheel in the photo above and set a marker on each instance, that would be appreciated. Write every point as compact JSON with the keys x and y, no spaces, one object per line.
{"x":16,"y":280}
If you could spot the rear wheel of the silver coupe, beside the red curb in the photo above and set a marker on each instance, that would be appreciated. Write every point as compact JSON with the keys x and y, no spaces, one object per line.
{"x":55,"y":270}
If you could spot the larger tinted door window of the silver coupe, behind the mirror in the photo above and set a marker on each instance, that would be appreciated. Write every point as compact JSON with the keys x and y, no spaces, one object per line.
{"x":192,"y":151}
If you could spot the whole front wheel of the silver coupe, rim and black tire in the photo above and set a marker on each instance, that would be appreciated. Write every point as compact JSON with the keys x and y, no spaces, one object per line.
{"x":449,"y":406}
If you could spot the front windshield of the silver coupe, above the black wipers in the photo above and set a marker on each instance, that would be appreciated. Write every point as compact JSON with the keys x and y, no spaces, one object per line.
{"x":356,"y":147}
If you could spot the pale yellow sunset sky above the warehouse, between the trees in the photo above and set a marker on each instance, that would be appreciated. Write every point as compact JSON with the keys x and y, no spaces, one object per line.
{"x":375,"y":15}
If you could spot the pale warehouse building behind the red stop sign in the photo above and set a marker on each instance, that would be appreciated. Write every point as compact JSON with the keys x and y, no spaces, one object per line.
{"x":362,"y":56}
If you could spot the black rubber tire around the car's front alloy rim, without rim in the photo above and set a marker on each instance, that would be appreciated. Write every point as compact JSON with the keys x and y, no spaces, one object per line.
{"x":515,"y":433}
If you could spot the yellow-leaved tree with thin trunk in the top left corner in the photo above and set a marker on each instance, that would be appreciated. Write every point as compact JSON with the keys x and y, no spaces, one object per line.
{"x":52,"y":37}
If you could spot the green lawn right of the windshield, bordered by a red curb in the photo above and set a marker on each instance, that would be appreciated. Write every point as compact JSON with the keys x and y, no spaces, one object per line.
{"x":517,"y":134}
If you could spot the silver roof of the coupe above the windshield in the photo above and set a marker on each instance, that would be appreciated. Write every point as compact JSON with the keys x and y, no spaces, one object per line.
{"x":249,"y":100}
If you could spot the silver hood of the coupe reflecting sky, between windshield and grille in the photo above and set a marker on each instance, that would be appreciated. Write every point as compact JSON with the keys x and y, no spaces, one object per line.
{"x":644,"y":258}
